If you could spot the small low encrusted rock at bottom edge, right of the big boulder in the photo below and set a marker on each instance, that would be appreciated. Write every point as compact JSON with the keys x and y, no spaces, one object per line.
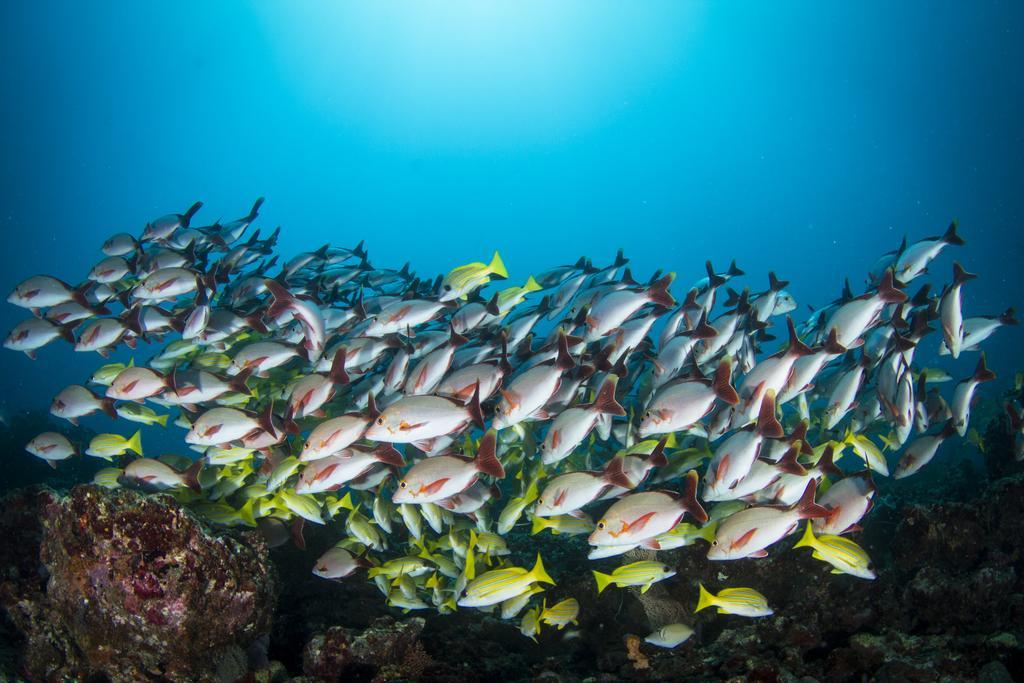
{"x":386,"y":652}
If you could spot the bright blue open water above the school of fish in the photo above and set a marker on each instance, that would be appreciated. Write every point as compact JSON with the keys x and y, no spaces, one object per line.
{"x":802,"y":138}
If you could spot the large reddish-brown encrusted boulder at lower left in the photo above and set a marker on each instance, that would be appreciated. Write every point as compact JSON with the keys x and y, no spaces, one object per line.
{"x":136,"y":588}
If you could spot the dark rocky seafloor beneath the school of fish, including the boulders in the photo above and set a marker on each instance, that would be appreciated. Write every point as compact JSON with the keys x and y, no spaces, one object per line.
{"x":120,"y":586}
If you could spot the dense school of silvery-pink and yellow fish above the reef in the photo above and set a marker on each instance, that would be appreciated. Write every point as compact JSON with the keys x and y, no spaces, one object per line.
{"x":424,"y":419}
